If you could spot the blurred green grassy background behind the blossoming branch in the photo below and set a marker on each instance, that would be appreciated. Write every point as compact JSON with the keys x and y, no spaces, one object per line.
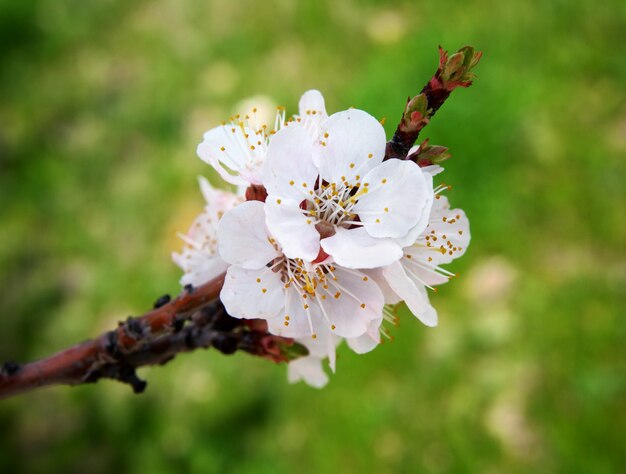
{"x":101,"y":106}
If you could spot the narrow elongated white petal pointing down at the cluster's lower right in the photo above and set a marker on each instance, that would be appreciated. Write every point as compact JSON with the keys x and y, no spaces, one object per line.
{"x":412,"y":292}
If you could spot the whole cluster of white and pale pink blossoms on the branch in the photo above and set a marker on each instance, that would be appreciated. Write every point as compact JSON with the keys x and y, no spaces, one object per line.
{"x":324,"y":233}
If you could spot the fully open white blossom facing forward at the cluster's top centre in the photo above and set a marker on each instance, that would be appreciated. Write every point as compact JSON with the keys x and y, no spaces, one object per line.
{"x":336,"y":194}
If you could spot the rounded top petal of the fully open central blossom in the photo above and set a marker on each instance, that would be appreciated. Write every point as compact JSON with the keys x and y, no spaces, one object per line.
{"x":352,"y":143}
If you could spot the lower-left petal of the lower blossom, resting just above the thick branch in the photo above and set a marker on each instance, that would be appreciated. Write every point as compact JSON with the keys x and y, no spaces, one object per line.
{"x":252,"y":294}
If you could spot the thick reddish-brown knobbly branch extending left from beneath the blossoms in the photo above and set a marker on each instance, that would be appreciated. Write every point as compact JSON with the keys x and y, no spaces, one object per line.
{"x":195,"y":319}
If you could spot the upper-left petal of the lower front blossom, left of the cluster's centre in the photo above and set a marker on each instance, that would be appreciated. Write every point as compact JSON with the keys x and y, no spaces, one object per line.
{"x":243,"y":238}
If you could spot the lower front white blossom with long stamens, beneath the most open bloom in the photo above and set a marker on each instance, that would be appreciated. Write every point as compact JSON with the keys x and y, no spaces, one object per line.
{"x":297,"y":298}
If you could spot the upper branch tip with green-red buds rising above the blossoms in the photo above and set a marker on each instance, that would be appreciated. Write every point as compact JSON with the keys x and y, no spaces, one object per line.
{"x":453,"y":71}
